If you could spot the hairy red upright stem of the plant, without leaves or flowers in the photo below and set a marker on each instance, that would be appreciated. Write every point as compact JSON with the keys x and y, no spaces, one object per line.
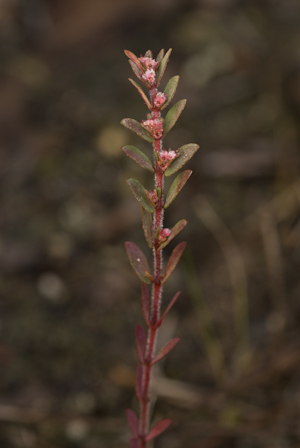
{"x":158,"y":217}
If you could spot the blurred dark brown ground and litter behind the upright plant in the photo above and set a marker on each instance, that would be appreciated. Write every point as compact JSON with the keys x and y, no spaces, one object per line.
{"x":69,"y":298}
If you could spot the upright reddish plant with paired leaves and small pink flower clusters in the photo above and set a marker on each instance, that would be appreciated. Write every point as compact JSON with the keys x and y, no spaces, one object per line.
{"x":153,"y":203}
